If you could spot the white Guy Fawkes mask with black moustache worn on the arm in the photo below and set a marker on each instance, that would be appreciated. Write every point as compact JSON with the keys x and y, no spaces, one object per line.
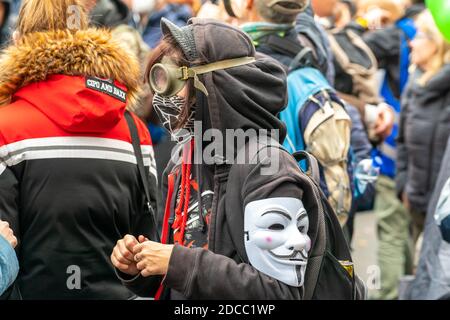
{"x":276,"y":238}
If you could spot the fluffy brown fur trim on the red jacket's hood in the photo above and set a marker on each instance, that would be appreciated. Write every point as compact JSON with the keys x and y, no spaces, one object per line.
{"x":90,"y":52}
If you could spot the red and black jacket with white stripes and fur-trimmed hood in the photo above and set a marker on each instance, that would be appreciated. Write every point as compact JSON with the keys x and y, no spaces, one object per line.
{"x":69,"y":184}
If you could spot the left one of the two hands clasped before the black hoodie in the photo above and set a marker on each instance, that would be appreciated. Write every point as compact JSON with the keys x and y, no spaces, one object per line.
{"x":122,"y":256}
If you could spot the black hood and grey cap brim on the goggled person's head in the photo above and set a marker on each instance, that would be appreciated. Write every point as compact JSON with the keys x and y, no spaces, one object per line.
{"x":243,"y":97}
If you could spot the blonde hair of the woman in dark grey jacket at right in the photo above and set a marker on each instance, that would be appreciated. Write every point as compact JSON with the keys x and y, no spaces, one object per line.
{"x":425,"y":23}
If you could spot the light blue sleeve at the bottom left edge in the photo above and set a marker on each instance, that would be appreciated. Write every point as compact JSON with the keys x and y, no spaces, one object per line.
{"x":9,"y":266}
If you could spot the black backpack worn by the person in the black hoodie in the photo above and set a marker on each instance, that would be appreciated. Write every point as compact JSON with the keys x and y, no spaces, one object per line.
{"x":330,"y":273}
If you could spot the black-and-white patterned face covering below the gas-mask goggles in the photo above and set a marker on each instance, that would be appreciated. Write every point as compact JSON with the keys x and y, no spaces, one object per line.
{"x":169,"y":110}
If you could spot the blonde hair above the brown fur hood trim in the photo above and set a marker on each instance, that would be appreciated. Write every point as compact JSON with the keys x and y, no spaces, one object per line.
{"x":51,"y":15}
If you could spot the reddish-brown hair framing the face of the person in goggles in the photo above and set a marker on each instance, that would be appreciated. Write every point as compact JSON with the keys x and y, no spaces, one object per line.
{"x":169,"y":47}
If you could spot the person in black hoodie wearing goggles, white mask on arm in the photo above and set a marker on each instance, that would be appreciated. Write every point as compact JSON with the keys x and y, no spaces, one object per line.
{"x":218,"y":253}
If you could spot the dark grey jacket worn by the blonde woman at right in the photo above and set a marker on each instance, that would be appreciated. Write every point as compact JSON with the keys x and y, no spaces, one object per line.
{"x":424,"y":131}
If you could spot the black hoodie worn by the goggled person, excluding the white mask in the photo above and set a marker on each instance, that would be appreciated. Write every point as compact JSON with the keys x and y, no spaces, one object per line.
{"x":246,"y":97}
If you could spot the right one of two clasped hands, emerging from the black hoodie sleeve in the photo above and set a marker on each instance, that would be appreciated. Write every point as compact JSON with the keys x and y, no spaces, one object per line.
{"x":152,"y":258}
